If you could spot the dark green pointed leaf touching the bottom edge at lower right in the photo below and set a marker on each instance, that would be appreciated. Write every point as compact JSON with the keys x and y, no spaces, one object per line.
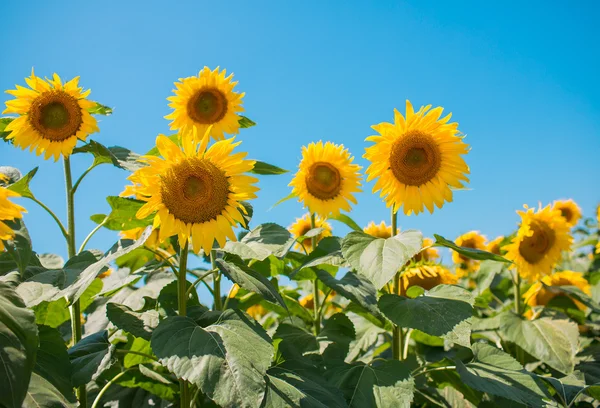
{"x":497,"y":373}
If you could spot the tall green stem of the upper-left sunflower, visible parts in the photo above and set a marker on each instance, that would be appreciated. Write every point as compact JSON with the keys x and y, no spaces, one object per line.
{"x":75,"y":308}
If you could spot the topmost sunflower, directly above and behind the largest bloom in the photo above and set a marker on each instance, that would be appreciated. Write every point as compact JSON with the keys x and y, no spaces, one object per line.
{"x":206,"y":100}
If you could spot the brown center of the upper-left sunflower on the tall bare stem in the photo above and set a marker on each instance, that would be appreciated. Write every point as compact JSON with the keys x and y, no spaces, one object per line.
{"x":55,"y":115}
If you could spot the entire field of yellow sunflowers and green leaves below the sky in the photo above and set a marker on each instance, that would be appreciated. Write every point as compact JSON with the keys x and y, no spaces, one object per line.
{"x":296,"y":315}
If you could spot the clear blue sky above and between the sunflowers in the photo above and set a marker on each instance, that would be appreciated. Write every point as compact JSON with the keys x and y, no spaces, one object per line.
{"x":520,"y":77}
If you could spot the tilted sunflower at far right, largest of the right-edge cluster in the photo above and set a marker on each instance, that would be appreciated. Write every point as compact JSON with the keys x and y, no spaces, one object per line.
{"x":540,"y":240}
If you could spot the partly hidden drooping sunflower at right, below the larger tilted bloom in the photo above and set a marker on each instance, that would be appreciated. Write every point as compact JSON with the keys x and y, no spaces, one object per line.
{"x":537,"y":295}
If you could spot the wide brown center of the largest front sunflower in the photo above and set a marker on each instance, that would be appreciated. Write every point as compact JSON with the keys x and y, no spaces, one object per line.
{"x":195,"y":191}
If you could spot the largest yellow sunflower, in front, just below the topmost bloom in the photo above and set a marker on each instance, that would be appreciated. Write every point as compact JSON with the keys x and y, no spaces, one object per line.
{"x":195,"y":192}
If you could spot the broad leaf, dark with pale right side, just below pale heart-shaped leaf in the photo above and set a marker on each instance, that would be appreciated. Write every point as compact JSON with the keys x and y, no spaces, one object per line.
{"x":444,"y":311}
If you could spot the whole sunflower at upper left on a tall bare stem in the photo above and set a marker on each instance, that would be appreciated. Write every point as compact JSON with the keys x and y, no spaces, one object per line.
{"x":52,"y":116}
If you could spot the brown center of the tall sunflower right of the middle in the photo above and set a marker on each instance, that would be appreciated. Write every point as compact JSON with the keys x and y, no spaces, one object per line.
{"x":415,"y":158}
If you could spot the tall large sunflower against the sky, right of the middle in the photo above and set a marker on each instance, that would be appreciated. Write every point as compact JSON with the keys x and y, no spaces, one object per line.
{"x":417,"y":160}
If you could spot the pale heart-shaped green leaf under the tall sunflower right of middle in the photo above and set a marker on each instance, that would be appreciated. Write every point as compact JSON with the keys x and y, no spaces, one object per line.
{"x":379,"y":259}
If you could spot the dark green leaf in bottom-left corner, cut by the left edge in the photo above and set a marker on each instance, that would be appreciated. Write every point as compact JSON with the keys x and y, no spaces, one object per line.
{"x":18,"y":347}
